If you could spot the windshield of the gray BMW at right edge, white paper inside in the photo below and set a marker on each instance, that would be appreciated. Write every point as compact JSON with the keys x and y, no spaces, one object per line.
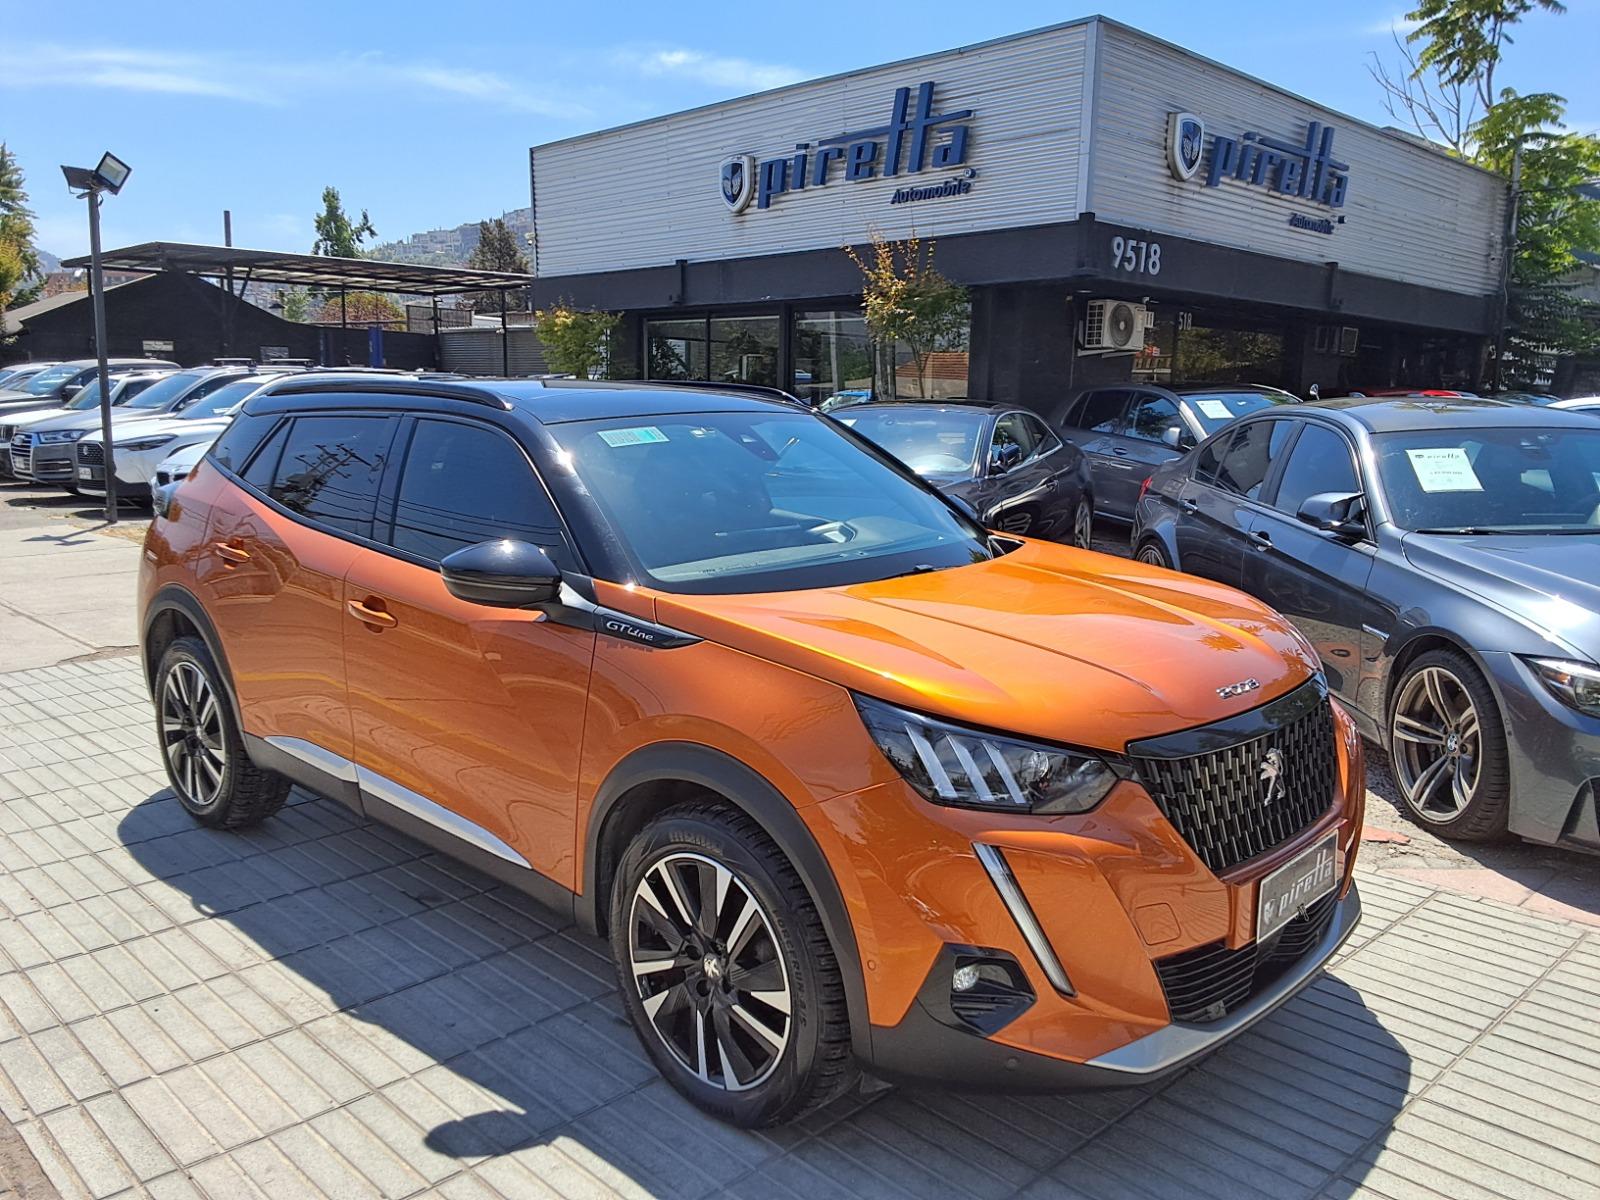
{"x":1492,"y":481}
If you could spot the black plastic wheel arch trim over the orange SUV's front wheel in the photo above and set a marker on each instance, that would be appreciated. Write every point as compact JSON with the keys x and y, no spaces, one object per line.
{"x":662,"y":775}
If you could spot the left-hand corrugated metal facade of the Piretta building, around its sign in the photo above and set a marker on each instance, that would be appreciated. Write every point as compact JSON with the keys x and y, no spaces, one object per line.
{"x":649,"y":194}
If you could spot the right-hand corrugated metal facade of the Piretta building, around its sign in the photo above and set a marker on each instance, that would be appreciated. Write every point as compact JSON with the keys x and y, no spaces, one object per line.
{"x":1412,"y":214}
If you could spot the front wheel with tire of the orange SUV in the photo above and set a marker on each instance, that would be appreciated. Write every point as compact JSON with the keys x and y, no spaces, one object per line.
{"x":700,"y":849}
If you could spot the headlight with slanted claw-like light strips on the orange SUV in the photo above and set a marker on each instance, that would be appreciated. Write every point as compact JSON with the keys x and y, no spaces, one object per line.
{"x":970,"y":769}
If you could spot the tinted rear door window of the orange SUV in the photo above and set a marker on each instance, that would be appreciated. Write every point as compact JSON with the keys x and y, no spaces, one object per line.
{"x":330,"y":470}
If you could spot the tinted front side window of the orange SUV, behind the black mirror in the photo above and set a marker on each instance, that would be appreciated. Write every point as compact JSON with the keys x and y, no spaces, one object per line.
{"x":463,"y":486}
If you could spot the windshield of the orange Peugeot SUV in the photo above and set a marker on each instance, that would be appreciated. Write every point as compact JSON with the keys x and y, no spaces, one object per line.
{"x":759,"y":503}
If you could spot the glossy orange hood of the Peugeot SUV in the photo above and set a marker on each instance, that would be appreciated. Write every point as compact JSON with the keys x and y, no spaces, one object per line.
{"x":1047,"y":641}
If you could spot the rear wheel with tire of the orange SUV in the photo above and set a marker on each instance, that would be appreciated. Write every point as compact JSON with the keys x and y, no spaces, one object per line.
{"x":202,"y":750}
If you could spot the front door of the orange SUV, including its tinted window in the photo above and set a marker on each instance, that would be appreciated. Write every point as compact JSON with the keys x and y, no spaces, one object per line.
{"x":468,"y":718}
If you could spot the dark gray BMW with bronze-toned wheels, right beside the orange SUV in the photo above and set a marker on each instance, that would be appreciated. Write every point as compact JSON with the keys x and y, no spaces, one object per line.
{"x":1444,"y":558}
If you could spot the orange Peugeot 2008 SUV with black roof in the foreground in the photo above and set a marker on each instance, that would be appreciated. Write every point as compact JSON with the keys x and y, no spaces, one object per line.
{"x":847,"y":782}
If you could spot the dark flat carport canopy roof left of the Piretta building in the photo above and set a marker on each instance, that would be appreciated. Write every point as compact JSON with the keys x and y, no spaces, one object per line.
{"x":270,"y":266}
